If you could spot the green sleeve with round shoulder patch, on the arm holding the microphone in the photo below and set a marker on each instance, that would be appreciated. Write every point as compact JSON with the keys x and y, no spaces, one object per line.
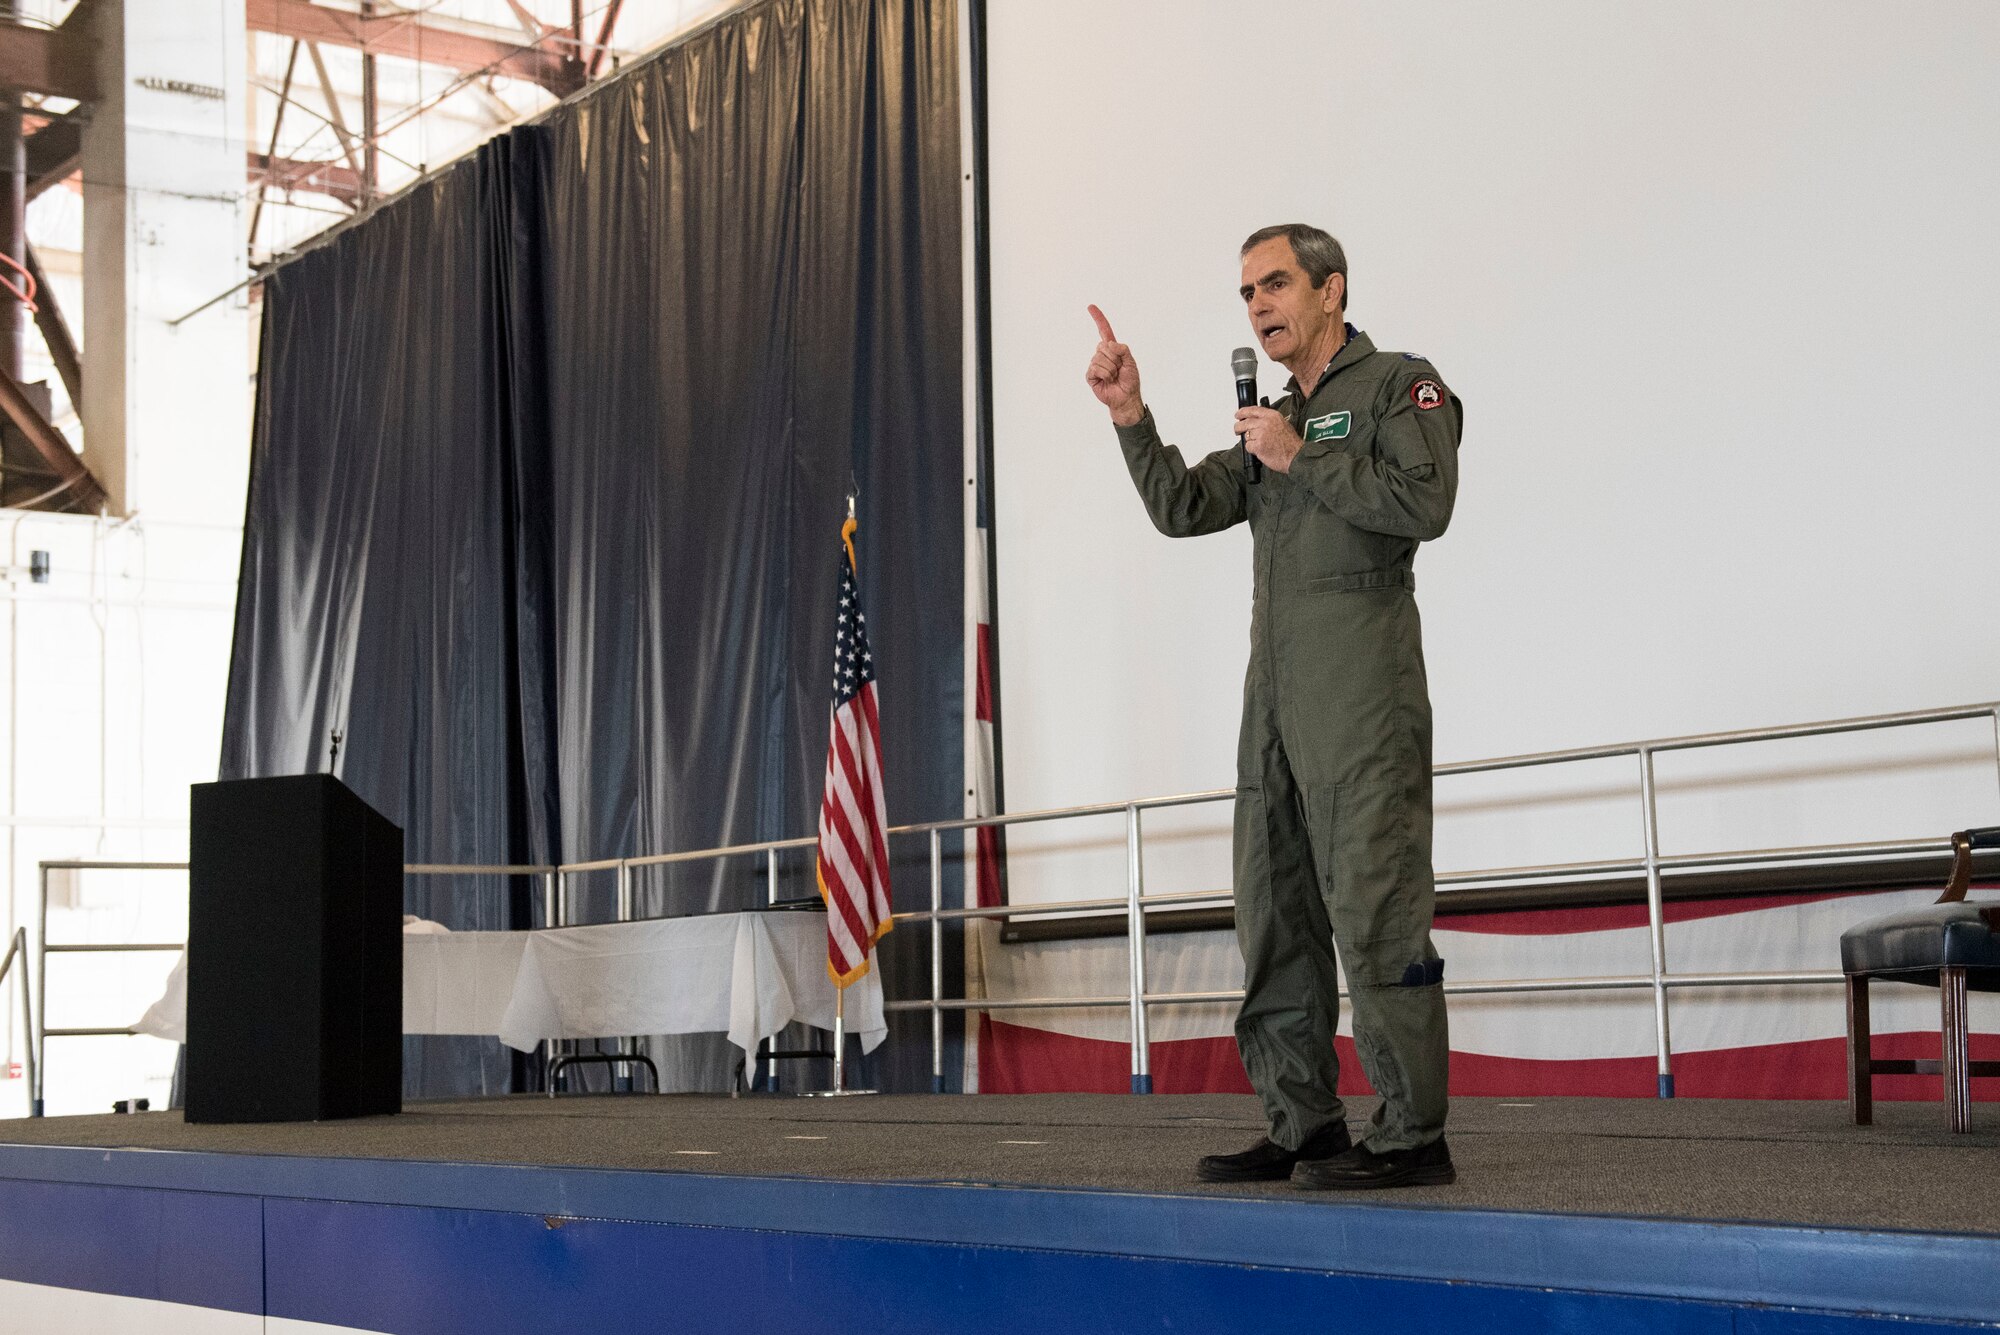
{"x":1411,"y":481}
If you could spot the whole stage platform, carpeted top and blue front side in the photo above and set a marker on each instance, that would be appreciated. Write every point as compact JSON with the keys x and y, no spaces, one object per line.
{"x":1001,"y":1214}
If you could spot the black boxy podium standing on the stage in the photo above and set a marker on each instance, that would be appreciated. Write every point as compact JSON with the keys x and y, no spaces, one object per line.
{"x":295,"y":952}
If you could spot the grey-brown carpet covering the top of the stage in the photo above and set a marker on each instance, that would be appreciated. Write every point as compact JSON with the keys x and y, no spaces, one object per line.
{"x":1685,"y":1158}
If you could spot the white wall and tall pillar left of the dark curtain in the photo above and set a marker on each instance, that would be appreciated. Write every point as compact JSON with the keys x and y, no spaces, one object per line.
{"x":115,"y":670}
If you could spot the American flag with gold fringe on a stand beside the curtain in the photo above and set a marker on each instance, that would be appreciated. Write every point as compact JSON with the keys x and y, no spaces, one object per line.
{"x":853,"y":818}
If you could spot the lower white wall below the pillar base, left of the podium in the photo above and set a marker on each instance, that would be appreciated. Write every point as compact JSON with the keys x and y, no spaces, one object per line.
{"x":113,"y":680}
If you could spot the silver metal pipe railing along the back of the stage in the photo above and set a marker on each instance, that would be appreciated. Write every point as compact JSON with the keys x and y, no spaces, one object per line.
{"x":1653,"y":864}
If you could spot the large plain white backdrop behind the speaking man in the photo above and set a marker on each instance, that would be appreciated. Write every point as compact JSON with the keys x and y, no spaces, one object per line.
{"x":1717,"y":285}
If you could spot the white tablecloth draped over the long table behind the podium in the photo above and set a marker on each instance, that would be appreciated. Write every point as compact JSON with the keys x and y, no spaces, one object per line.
{"x":739,"y":974}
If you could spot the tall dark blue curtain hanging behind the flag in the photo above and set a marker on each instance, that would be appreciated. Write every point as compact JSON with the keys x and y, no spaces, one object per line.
{"x":549,"y":469}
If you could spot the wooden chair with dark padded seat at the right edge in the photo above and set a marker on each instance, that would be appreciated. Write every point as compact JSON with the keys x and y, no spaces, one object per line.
{"x":1951,"y":946}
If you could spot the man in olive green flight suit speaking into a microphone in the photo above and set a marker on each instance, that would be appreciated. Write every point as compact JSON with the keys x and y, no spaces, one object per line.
{"x":1333,"y":768}
